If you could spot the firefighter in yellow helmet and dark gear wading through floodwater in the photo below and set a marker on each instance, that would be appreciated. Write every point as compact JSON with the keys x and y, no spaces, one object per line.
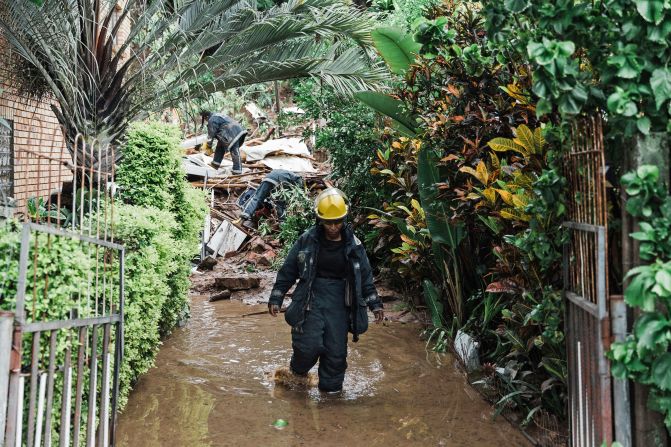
{"x":335,"y":288}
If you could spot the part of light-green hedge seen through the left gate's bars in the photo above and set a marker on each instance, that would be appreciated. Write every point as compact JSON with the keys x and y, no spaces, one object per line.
{"x":59,"y":272}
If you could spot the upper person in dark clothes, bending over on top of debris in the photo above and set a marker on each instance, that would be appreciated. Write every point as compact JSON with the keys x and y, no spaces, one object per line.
{"x":229,"y":134}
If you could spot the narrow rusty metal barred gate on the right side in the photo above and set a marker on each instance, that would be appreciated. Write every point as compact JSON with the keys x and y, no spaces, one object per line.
{"x":585,"y":289}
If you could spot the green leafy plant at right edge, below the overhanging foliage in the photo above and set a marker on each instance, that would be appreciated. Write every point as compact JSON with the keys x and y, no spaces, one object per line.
{"x":643,"y":356}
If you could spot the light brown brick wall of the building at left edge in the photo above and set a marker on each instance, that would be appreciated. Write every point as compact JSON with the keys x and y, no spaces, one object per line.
{"x":36,"y":130}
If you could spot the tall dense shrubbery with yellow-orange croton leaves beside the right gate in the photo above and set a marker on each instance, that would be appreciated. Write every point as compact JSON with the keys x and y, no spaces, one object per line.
{"x":474,"y":206}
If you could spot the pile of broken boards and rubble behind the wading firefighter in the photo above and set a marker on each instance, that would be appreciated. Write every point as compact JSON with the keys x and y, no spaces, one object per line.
{"x":227,"y":235}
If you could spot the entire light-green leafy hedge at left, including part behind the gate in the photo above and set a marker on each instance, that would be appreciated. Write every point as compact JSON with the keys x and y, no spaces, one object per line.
{"x":160,"y":232}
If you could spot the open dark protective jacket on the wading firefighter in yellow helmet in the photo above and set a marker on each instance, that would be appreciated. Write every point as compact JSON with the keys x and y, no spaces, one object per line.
{"x":301,"y":265}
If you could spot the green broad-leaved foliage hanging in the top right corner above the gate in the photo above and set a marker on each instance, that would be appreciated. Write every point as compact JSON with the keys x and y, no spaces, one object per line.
{"x":608,"y":54}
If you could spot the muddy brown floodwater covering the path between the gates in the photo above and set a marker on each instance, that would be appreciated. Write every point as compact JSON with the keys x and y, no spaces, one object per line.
{"x":211,"y":387}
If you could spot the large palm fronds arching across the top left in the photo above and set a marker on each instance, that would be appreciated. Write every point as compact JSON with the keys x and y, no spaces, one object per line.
{"x":180,"y":48}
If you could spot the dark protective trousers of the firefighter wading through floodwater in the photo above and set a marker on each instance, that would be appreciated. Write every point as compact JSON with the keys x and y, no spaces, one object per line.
{"x":324,"y":335}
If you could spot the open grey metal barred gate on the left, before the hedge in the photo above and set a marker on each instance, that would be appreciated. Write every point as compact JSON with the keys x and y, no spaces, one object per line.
{"x":67,"y":342}
